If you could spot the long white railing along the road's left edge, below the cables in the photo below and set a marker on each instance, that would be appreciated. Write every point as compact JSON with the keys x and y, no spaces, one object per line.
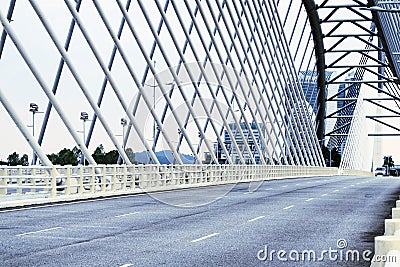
{"x":88,"y":180}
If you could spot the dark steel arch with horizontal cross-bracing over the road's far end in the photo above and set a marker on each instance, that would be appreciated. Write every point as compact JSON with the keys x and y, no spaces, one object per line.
{"x":359,"y":46}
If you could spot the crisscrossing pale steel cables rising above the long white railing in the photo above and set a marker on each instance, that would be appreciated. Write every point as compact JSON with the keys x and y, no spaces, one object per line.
{"x":214,"y":79}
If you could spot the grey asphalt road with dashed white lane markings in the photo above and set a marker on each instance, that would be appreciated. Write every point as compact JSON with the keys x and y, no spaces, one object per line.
{"x":295,"y":222}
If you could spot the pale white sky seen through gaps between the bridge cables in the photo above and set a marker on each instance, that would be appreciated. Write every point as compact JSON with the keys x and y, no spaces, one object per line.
{"x":21,"y":89}
